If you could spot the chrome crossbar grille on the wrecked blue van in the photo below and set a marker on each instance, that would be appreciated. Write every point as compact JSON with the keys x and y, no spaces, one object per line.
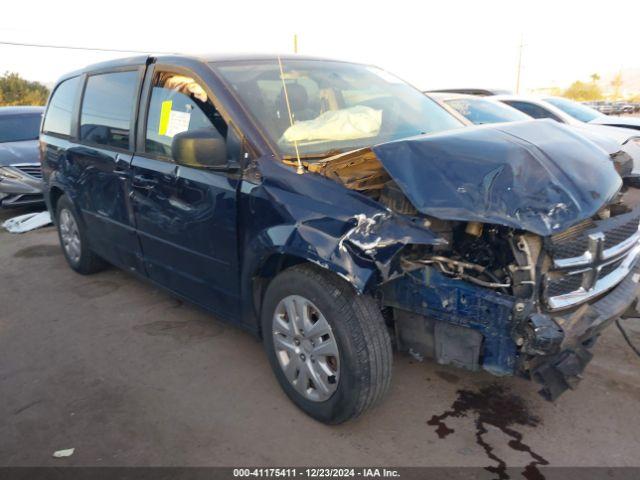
{"x":588,"y":261}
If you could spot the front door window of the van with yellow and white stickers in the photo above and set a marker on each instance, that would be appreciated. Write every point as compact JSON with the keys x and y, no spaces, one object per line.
{"x":178,"y":103}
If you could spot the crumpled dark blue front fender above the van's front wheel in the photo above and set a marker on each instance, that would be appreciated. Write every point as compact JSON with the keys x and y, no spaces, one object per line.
{"x":317,"y":220}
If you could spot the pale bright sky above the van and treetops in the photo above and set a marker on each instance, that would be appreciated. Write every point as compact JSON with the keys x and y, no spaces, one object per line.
{"x":430,"y":44}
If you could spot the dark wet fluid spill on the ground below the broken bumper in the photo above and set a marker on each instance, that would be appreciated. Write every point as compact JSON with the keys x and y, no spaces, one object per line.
{"x":494,"y":405}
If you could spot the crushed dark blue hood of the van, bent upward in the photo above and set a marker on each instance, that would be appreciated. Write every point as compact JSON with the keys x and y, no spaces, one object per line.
{"x":535,"y":175}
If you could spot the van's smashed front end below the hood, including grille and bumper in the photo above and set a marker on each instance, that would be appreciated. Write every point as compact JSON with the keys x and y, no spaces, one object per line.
{"x":532,"y":310}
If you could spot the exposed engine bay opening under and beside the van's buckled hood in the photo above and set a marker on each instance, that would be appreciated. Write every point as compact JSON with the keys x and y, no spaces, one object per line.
{"x":491,"y":256}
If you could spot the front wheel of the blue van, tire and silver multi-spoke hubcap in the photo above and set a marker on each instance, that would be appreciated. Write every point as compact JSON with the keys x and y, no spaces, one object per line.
{"x":329,"y":347}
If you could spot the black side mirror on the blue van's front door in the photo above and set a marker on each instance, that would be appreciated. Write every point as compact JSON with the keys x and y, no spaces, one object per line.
{"x":200,"y":148}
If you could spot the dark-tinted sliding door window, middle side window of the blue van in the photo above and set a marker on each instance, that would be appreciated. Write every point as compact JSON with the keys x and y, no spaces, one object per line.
{"x":107,"y":107}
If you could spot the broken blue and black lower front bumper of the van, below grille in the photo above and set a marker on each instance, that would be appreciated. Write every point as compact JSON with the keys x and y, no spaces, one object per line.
{"x":553,"y":354}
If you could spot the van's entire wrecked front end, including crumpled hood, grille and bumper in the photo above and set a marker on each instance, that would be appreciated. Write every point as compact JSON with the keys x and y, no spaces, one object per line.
{"x":537,"y":252}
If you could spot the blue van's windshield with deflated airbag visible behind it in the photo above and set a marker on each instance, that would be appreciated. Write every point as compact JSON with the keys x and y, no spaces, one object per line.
{"x":335,"y":106}
